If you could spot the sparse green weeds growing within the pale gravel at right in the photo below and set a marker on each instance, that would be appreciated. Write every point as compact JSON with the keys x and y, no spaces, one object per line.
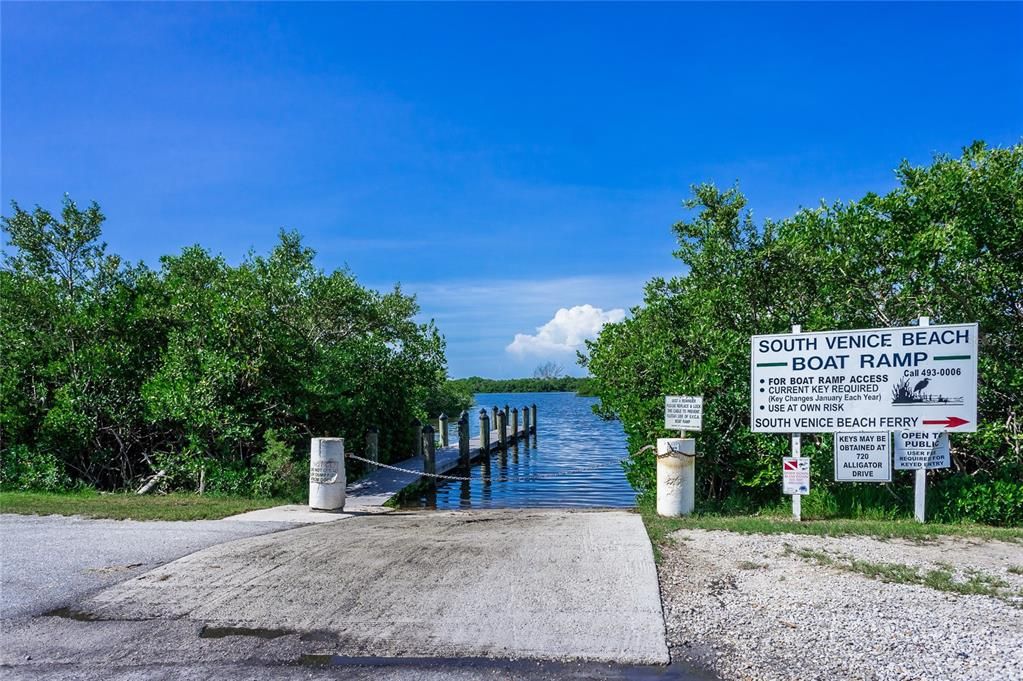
{"x":941,"y":579}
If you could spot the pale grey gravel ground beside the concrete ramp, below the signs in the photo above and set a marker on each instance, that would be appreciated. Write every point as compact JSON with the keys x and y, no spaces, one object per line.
{"x":749,"y":607}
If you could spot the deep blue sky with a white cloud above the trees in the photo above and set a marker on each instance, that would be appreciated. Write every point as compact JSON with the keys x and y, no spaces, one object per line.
{"x":503,"y":162}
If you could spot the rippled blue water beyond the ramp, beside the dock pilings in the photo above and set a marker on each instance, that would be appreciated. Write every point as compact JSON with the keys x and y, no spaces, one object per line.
{"x":574,"y":461}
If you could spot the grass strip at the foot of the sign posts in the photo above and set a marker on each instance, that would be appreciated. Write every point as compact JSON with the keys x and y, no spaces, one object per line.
{"x":660,"y":528}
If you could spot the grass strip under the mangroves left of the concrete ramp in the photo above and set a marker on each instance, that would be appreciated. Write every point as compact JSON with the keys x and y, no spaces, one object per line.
{"x":130,"y":507}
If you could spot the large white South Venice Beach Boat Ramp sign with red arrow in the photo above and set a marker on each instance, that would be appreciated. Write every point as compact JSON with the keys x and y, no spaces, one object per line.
{"x":914,"y":378}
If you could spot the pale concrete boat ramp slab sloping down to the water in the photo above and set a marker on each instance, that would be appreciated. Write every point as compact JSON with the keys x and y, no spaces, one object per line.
{"x":550,"y":585}
